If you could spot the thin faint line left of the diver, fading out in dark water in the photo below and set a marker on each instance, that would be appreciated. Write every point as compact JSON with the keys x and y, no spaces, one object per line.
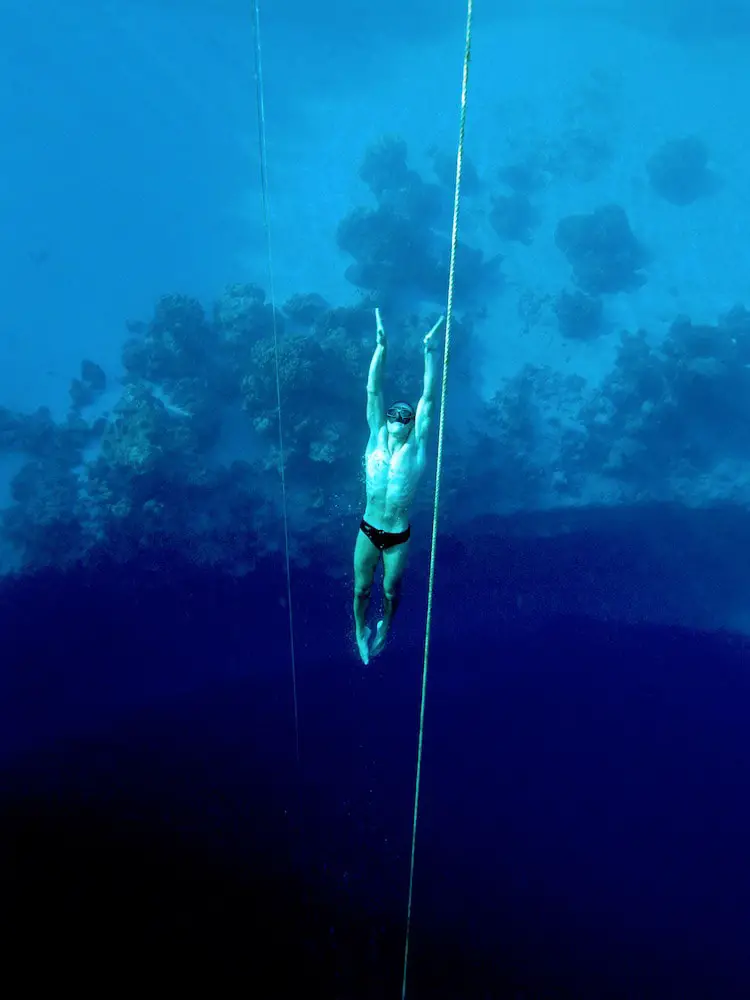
{"x":272,"y":294}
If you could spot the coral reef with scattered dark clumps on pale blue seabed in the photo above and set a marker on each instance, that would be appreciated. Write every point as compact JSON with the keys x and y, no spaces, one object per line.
{"x":188,"y":452}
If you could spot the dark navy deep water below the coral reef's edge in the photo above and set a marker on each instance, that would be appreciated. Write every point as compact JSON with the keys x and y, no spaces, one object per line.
{"x":583,"y":823}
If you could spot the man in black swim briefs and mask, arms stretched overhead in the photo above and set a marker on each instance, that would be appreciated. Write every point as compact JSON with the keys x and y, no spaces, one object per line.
{"x":395,"y":459}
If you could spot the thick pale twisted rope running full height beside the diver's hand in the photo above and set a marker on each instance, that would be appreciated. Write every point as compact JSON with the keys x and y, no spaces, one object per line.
{"x":438,"y":478}
